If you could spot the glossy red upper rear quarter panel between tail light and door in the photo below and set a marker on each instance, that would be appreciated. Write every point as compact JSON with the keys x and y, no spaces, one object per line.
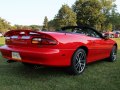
{"x":70,"y":41}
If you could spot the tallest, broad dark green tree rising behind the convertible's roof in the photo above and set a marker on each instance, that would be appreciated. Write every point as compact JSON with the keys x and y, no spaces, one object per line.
{"x":88,"y":12}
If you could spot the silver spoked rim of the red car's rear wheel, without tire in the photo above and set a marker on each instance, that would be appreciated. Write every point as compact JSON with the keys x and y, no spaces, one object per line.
{"x":80,"y":62}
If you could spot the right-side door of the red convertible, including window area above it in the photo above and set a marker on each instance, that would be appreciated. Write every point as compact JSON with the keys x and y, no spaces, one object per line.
{"x":99,"y":48}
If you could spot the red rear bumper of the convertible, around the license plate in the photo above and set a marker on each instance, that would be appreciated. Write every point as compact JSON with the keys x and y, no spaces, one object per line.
{"x":41,"y":56}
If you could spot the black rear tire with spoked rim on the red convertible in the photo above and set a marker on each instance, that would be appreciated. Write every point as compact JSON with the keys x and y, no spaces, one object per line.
{"x":78,"y":62}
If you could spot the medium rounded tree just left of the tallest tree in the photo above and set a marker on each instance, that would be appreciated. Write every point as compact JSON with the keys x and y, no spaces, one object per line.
{"x":65,"y":17}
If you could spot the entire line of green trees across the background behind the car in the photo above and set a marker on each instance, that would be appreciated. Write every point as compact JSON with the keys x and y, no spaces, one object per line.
{"x":100,"y":14}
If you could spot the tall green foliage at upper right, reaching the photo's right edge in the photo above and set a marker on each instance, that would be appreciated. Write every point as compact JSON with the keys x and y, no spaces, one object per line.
{"x":100,"y":14}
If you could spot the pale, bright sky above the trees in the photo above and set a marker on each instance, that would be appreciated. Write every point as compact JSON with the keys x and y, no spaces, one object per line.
{"x":32,"y":12}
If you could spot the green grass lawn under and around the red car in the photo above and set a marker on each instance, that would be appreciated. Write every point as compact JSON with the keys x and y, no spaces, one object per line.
{"x":100,"y":75}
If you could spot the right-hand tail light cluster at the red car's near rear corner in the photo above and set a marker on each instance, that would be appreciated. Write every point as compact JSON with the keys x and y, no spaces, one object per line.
{"x":44,"y":41}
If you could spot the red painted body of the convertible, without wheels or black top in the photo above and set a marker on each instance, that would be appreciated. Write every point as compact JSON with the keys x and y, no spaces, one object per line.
{"x":53,"y":48}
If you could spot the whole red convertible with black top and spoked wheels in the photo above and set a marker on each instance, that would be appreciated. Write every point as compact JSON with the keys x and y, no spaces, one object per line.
{"x":72,"y":47}
